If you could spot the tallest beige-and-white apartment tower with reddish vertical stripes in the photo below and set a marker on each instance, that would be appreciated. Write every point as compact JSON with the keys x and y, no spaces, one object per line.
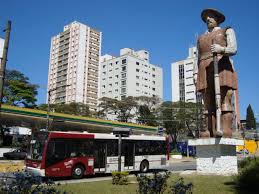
{"x":74,"y":65}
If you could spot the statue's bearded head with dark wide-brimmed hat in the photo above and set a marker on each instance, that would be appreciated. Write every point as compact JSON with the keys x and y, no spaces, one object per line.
{"x":212,"y":17}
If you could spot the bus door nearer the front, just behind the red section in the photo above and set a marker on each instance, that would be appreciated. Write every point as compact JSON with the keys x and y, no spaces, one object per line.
{"x":100,"y":154}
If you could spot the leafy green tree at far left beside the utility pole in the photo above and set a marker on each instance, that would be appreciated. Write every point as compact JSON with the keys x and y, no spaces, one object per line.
{"x":18,"y":91}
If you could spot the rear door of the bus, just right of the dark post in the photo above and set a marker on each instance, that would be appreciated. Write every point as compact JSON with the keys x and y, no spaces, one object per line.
{"x":129,"y":154}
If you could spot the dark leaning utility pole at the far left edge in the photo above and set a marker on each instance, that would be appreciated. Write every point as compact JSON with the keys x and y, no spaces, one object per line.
{"x":2,"y":69}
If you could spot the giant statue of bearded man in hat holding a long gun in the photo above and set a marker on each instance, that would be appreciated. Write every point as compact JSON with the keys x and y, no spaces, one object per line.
{"x":214,"y":74}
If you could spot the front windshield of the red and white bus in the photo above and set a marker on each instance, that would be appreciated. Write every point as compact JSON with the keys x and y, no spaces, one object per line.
{"x":37,"y":145}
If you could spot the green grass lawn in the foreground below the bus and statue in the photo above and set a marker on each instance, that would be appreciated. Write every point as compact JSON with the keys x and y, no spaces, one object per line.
{"x":202,"y":184}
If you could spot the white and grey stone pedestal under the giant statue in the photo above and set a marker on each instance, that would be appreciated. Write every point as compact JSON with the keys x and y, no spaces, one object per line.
{"x":216,"y":155}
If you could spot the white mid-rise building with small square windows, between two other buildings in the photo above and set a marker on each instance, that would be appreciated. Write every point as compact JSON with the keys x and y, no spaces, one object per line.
{"x":130,"y":74}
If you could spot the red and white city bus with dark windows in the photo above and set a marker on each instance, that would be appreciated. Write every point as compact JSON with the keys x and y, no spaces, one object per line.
{"x":63,"y":154}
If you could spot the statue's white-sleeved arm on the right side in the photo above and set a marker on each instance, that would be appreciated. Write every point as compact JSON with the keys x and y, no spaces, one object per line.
{"x":231,"y":48}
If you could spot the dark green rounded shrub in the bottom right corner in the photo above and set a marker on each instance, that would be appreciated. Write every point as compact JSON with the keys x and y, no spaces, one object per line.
{"x":248,"y":177}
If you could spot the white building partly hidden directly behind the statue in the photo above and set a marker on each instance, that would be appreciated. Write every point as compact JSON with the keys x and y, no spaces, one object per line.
{"x":183,"y":88}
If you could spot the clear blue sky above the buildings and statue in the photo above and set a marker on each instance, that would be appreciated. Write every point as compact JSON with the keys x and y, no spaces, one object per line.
{"x":165,"y":28}
